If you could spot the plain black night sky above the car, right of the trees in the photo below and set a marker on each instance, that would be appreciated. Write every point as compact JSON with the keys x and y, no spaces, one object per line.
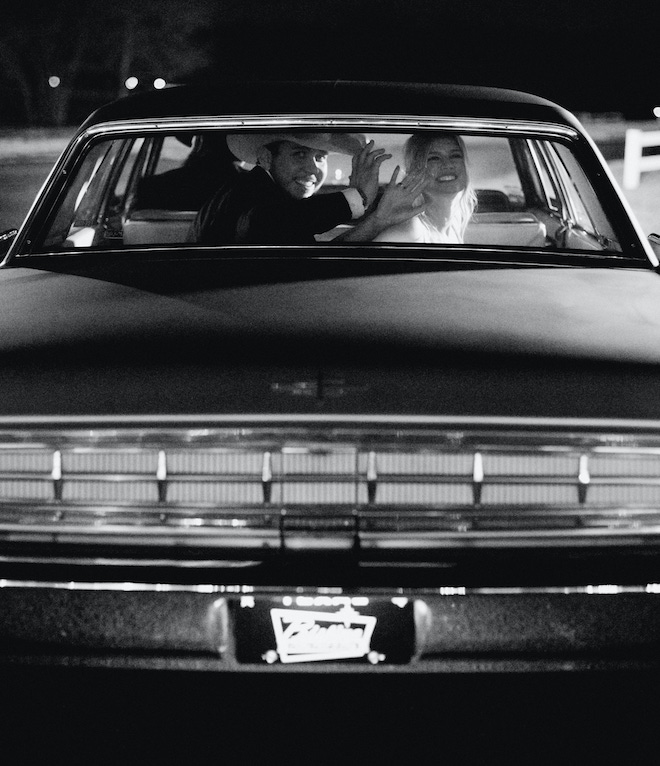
{"x":589,"y":55}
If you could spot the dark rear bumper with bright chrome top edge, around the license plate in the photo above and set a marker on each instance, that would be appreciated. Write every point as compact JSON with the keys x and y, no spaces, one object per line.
{"x":456,"y":630}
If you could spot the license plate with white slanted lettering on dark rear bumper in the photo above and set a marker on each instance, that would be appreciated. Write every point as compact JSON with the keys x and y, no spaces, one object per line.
{"x":299,"y":629}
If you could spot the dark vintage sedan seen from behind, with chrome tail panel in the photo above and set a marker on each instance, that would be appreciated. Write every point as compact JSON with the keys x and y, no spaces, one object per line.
{"x":341,"y":457}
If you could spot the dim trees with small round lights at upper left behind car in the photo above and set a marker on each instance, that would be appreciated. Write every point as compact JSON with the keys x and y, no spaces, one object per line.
{"x":64,"y":55}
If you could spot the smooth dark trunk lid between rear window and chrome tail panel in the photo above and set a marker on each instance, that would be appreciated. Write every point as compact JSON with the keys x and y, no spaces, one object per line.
{"x":226,"y":349}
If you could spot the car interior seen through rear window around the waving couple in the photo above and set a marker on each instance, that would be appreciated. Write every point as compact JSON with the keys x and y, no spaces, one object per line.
{"x":145,"y":190}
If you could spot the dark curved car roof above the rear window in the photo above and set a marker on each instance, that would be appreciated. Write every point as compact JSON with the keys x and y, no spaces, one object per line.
{"x":332,"y":98}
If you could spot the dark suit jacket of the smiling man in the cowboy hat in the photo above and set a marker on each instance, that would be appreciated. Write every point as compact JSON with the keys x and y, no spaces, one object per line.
{"x":252,"y":209}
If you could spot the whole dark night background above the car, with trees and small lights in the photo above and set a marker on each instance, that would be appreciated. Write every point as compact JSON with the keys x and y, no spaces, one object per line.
{"x":589,"y":55}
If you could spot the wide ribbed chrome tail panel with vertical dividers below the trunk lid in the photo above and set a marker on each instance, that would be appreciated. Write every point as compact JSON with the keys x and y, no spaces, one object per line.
{"x":249,"y":487}
